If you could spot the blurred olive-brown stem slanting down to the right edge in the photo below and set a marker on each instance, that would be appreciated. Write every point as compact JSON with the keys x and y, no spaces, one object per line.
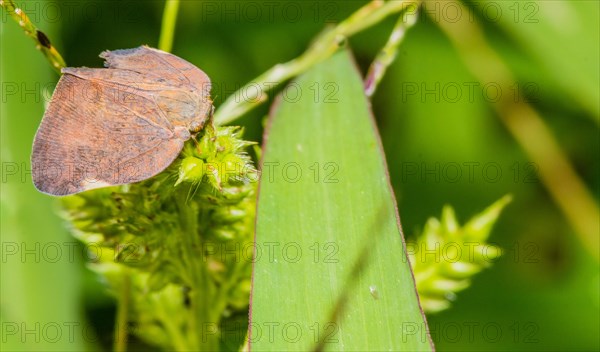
{"x":528,"y":128}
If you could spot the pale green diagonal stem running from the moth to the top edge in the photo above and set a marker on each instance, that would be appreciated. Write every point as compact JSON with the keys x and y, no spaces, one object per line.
{"x":323,"y":47}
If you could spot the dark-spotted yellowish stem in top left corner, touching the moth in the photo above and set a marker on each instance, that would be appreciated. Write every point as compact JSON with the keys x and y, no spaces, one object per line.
{"x":41,"y":40}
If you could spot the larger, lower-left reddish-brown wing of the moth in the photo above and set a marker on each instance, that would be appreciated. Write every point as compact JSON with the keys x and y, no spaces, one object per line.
{"x":86,"y":142}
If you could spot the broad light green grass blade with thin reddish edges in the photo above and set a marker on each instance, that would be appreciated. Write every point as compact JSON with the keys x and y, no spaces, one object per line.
{"x":330,"y":271}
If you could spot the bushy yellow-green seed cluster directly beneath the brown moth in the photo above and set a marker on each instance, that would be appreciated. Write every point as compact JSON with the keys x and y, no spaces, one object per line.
{"x":173,"y":244}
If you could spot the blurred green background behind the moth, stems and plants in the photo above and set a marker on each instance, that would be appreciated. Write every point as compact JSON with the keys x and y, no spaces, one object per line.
{"x":542,"y":295}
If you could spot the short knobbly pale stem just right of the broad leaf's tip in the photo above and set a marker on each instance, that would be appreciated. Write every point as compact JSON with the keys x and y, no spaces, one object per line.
{"x":387,"y":55}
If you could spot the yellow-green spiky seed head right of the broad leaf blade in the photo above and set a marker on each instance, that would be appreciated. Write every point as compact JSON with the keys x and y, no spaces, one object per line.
{"x":445,"y":255}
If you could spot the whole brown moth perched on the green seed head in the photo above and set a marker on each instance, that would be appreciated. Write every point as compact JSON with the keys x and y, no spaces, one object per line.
{"x":120,"y":124}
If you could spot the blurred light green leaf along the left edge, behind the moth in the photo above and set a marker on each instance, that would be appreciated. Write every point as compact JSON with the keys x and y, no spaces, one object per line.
{"x":30,"y":298}
